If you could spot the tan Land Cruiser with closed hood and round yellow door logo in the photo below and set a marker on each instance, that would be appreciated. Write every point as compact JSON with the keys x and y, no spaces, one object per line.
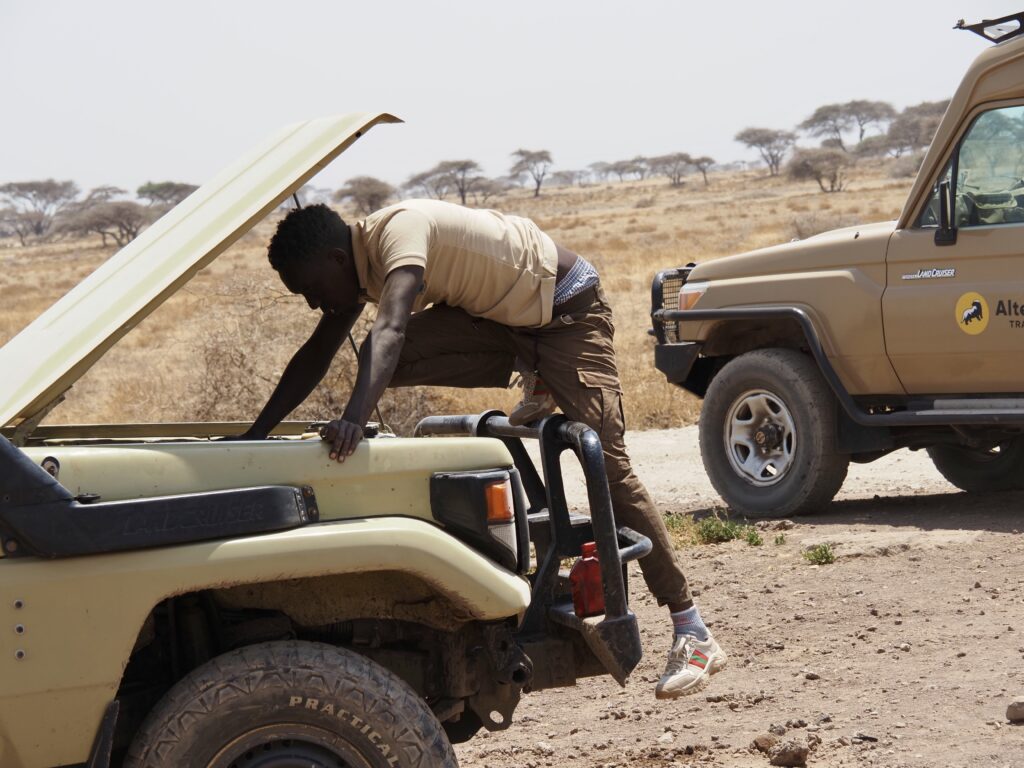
{"x":855,"y":344}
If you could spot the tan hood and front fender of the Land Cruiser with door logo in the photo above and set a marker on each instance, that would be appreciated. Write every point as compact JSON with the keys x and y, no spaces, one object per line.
{"x":839,"y":279}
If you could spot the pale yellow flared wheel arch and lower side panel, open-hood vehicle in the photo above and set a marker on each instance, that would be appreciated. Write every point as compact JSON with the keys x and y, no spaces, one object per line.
{"x":79,"y":618}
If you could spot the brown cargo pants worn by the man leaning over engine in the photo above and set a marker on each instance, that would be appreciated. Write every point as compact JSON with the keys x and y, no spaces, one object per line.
{"x":574,"y":355}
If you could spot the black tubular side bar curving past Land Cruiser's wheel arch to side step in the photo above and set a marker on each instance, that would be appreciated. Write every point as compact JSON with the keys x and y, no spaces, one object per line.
{"x":859,"y":415}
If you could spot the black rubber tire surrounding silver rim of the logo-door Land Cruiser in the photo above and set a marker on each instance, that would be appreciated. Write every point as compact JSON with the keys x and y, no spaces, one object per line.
{"x":817,"y":470}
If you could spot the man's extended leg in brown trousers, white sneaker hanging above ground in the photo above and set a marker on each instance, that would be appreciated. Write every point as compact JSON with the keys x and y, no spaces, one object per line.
{"x":576,"y":358}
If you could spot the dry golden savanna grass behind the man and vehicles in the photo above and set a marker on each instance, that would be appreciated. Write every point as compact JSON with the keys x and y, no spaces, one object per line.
{"x":217,"y":349}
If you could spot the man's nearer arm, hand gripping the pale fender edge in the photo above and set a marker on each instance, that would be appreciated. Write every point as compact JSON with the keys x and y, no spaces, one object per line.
{"x":378,"y":359}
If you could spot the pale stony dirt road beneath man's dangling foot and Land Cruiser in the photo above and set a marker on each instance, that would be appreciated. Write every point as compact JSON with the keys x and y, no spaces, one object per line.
{"x":906,"y":652}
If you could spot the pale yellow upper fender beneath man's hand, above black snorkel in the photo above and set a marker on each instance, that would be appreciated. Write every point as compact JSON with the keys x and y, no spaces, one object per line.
{"x":386,"y":477}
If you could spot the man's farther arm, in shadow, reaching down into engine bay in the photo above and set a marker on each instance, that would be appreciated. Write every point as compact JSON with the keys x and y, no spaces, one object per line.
{"x":305,"y":372}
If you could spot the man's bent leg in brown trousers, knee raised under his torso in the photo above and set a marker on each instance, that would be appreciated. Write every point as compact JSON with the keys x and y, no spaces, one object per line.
{"x":446,"y":347}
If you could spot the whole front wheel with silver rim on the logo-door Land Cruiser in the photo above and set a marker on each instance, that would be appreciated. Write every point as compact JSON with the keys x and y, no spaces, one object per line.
{"x":769,"y":436}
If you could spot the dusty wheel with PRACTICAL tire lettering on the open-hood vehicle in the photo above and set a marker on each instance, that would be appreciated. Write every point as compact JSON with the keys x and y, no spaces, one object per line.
{"x":285,"y":705}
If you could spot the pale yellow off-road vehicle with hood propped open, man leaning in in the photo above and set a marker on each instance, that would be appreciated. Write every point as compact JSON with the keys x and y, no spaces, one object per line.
{"x":169,"y":602}
